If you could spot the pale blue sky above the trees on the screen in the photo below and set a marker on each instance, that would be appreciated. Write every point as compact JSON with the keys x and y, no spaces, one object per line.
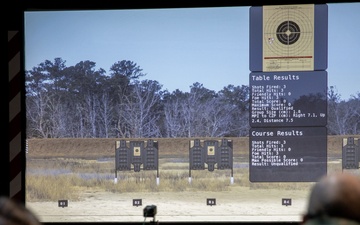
{"x":178,"y":47}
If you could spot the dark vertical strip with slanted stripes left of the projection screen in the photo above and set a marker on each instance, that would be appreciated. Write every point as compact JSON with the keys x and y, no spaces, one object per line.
{"x":11,"y":156}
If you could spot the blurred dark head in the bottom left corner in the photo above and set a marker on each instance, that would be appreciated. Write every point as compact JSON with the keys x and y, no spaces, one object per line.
{"x":14,"y":213}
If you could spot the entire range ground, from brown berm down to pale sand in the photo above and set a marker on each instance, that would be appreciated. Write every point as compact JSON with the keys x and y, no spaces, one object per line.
{"x":82,"y":171}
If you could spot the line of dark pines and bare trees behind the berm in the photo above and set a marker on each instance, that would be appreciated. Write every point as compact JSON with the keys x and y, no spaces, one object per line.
{"x":84,"y":102}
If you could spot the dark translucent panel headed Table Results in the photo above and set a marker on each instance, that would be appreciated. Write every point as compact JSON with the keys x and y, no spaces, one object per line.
{"x":288,"y":99}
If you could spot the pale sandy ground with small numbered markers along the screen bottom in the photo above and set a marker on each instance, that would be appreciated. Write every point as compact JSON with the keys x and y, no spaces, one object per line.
{"x":237,"y":205}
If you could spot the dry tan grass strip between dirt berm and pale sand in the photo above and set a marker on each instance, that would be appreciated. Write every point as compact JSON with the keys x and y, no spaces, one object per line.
{"x":63,"y":178}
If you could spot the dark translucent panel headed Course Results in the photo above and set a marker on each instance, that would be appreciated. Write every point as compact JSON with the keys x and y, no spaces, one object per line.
{"x":296,"y":154}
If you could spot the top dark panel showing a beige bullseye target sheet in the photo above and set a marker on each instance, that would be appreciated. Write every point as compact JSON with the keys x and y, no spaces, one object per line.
{"x":288,"y":37}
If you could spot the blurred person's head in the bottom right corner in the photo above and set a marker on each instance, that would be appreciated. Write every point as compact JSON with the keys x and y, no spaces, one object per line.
{"x":335,"y":199}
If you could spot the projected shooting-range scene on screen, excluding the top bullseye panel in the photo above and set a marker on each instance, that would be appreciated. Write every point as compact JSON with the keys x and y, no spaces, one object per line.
{"x":151,"y":115}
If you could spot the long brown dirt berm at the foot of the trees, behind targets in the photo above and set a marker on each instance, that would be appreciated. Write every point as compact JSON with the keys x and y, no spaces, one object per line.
{"x":105,"y":147}
